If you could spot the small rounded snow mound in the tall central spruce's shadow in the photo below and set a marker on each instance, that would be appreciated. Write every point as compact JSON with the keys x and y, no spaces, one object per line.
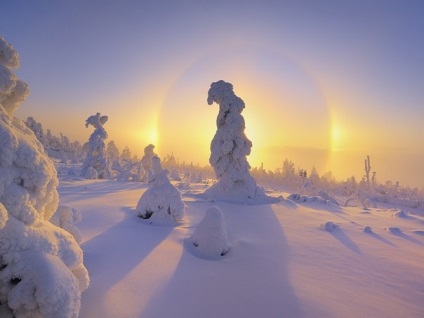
{"x":209,"y":240}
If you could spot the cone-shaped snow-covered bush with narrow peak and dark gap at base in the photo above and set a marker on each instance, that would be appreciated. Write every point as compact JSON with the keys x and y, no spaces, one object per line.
{"x":161,"y":203}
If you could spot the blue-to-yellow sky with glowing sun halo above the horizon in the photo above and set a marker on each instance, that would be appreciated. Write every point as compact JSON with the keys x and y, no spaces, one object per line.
{"x":344,"y":76}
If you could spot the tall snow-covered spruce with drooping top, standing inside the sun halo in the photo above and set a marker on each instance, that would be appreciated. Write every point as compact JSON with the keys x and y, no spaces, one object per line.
{"x":229,"y":150}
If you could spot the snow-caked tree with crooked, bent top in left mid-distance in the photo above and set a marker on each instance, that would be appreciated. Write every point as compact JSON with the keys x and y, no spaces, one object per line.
{"x":96,"y":164}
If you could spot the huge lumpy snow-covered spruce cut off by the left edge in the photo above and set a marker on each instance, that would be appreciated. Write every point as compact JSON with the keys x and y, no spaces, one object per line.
{"x":41,"y":265}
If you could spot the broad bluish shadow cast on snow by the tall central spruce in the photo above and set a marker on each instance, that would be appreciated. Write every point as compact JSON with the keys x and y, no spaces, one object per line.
{"x":256,"y":264}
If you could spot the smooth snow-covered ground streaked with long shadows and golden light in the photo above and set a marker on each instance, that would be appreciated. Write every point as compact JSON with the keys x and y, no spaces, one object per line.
{"x":285,"y":259}
